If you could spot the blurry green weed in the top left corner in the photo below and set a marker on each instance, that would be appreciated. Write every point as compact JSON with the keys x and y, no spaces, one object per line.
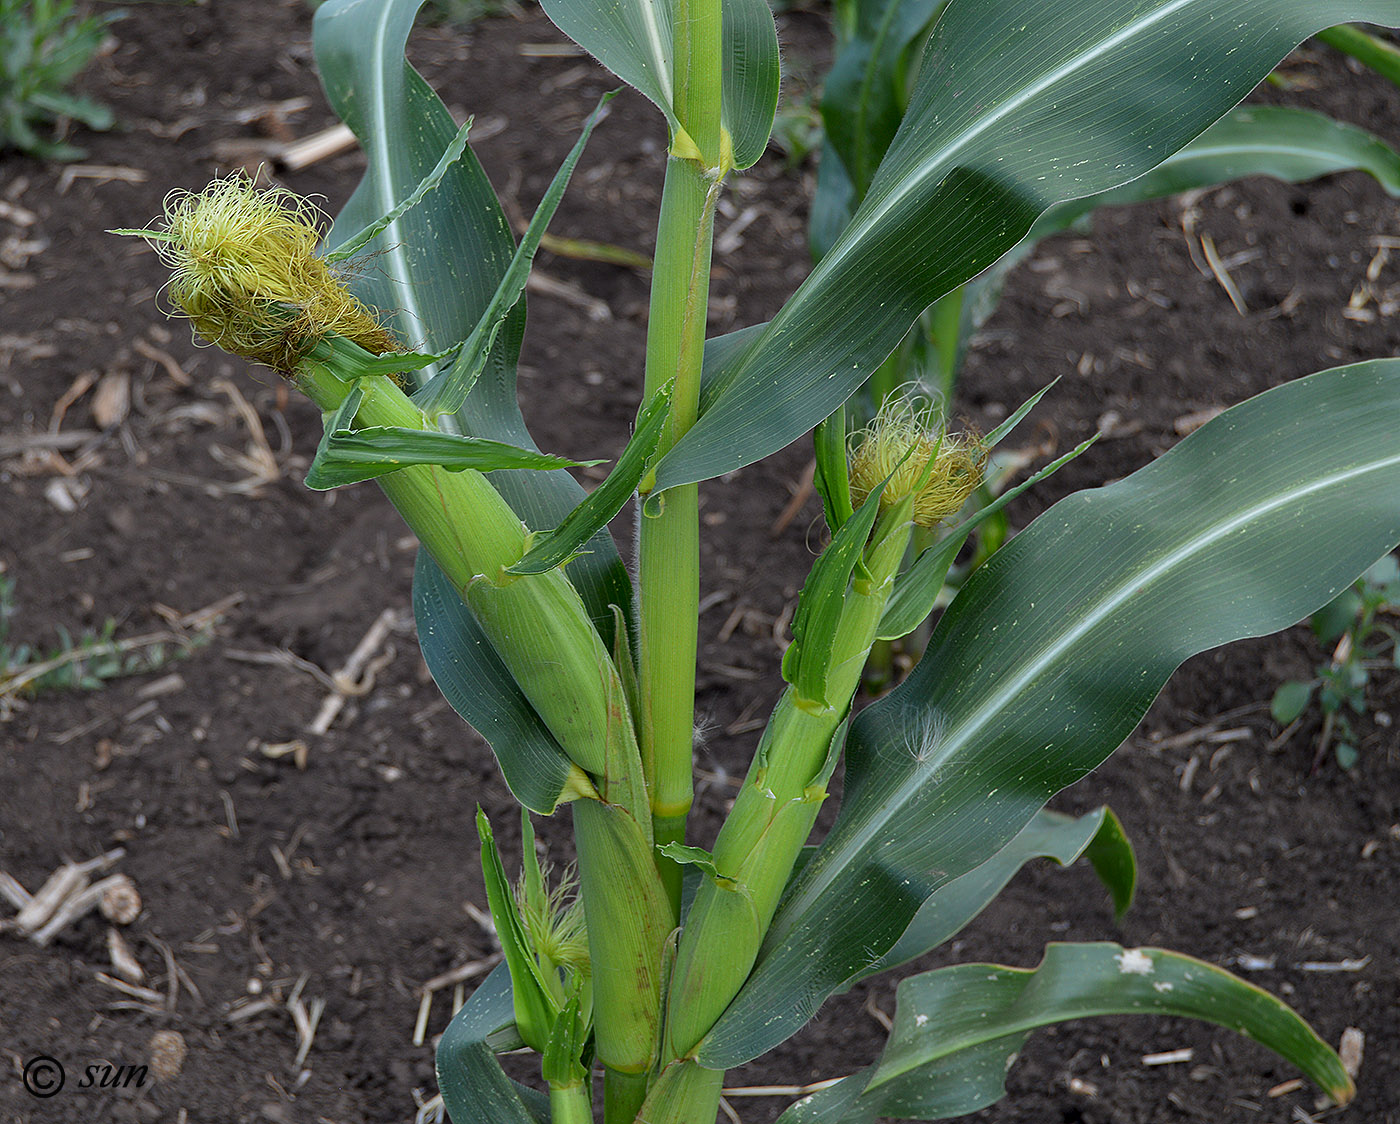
{"x":44,"y":45}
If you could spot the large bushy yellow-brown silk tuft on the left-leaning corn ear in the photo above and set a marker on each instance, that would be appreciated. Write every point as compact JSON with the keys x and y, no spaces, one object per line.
{"x":247,"y":275}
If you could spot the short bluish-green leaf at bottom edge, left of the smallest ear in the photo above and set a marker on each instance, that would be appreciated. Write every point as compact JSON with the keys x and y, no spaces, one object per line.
{"x":475,"y":1088}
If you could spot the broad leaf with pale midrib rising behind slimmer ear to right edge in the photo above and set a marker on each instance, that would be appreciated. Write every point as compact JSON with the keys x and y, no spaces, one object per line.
{"x":1053,"y":652}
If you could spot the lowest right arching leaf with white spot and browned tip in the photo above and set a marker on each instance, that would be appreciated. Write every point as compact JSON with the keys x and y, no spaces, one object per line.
{"x":960,"y":1030}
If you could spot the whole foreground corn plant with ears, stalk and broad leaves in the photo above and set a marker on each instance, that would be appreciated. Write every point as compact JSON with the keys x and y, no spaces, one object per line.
{"x":677,"y":962}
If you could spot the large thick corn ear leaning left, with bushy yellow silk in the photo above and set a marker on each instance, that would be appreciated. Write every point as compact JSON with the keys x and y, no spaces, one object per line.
{"x":247,"y":275}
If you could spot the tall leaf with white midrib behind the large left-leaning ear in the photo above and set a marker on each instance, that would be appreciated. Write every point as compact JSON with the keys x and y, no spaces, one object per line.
{"x":440,"y":264}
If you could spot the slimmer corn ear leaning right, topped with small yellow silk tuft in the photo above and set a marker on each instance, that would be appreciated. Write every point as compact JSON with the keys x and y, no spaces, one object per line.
{"x":913,"y":471}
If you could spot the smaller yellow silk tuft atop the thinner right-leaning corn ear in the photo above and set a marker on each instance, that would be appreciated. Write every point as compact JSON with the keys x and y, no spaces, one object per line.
{"x":922,"y":460}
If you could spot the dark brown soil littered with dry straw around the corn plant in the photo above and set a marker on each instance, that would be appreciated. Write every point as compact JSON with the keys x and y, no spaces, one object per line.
{"x":351,"y":880}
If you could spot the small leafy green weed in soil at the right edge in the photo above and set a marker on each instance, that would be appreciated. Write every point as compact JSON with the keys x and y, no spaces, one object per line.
{"x":1350,"y":624}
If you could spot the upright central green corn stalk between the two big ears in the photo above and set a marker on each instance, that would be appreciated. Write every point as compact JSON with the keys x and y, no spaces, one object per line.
{"x":670,"y":537}
